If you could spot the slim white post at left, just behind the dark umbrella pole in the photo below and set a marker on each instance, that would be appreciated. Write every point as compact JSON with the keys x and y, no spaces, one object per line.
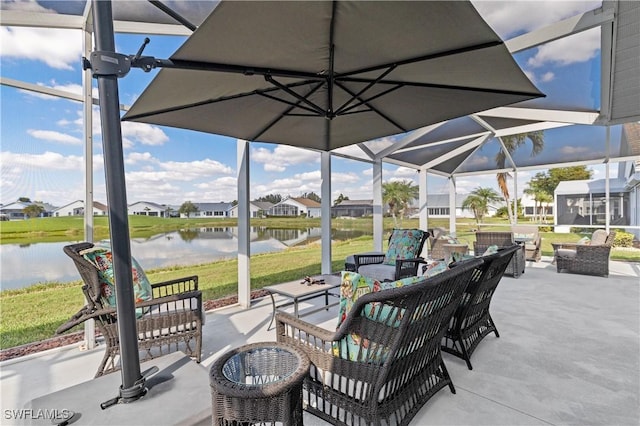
{"x":89,"y":326}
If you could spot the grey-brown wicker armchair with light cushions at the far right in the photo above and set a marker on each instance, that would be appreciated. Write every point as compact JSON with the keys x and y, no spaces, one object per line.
{"x":586,"y":259}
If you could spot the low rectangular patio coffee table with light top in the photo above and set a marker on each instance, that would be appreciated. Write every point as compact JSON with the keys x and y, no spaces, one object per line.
{"x":298,"y":292}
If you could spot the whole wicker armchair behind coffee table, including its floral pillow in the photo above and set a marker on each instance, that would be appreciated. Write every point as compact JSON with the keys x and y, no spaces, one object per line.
{"x":408,"y":259}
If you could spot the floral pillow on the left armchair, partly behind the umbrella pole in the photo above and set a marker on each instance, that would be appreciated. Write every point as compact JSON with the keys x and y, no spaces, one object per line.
{"x":102,"y":258}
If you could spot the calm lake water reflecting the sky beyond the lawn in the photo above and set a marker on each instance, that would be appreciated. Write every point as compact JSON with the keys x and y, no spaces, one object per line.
{"x":24,"y":265}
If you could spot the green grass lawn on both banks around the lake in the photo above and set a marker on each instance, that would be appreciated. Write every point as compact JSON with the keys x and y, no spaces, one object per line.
{"x":32,"y":314}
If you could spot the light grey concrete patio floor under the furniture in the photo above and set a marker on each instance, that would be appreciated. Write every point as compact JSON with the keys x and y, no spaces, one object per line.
{"x":569,"y":354}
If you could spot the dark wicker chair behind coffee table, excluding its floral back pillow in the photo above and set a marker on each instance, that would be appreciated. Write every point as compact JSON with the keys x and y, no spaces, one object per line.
{"x":372,"y":264}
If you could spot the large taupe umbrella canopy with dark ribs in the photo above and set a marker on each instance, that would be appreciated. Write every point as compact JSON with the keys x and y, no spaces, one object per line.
{"x":325,"y":74}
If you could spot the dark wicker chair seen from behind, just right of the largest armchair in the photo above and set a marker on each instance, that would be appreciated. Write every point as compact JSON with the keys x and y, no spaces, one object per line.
{"x":472,"y":321}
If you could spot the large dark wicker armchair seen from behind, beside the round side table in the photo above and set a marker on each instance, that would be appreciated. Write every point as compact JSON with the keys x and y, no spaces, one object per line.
{"x":398,"y":364}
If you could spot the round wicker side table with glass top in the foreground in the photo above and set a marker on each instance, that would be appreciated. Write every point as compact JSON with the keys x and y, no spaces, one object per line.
{"x":258,"y":383}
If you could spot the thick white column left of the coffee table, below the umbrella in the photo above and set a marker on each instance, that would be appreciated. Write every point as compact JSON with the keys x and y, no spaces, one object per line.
{"x":244,"y":253}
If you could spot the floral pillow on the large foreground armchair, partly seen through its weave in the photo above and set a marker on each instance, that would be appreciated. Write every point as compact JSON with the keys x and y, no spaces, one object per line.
{"x":353,"y":286}
